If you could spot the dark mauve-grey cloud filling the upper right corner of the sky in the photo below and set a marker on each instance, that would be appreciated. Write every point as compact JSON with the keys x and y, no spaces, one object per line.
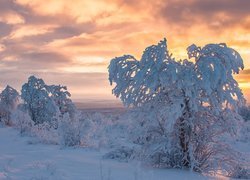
{"x":214,"y":13}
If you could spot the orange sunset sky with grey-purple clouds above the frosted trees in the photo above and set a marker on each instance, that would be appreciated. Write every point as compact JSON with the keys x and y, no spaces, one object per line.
{"x":72,"y":42}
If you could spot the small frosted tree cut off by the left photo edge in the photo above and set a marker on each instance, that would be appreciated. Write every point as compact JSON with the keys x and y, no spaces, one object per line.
{"x":9,"y":99}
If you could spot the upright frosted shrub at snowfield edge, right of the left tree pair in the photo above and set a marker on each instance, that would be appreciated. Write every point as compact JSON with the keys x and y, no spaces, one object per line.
{"x":70,"y":130}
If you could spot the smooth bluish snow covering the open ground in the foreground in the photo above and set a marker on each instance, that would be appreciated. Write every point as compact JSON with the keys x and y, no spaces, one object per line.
{"x":21,"y":159}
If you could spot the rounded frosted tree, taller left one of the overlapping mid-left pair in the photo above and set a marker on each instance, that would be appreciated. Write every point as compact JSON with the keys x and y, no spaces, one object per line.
{"x":37,"y":101}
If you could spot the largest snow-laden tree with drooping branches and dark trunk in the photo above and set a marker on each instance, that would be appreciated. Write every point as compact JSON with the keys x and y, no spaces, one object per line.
{"x":183,"y":106}
